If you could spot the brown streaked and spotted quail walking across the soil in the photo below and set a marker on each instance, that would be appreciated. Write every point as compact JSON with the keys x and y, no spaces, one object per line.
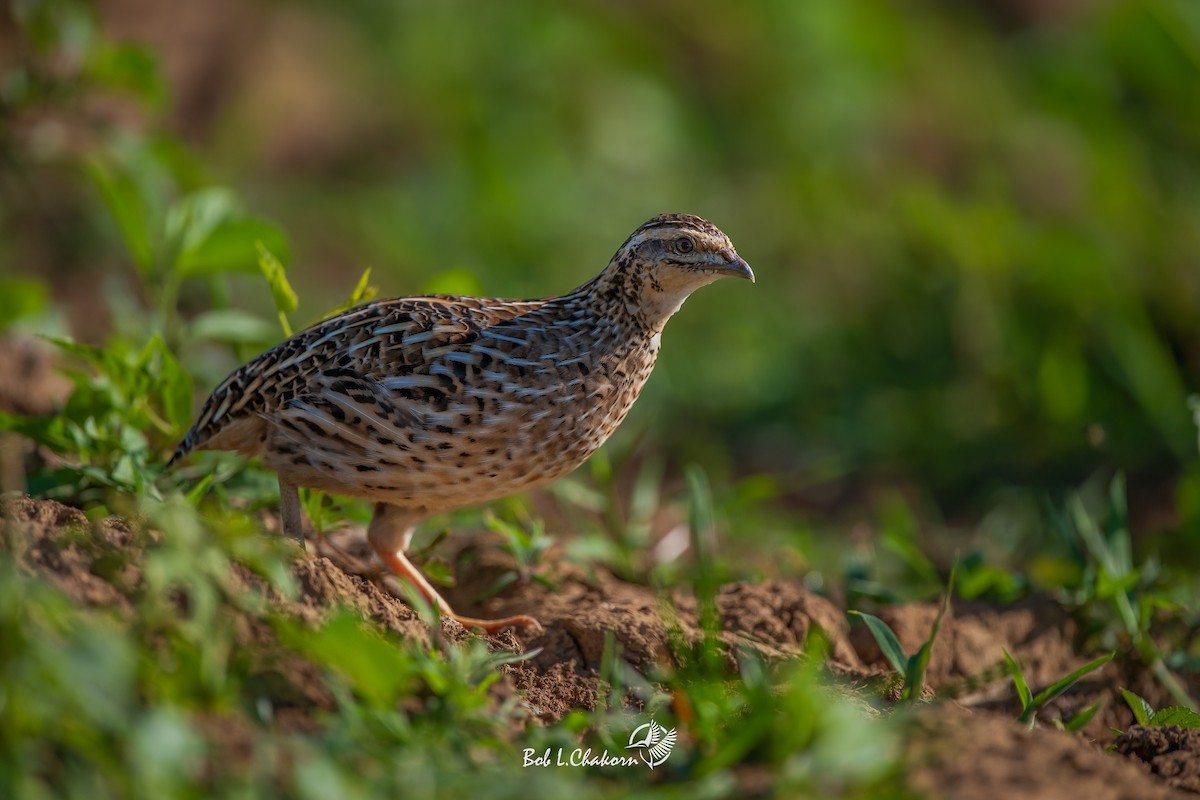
{"x":425,"y":405}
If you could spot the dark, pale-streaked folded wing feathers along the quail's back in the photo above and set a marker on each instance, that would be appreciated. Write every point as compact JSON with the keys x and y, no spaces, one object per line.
{"x":340,"y":369}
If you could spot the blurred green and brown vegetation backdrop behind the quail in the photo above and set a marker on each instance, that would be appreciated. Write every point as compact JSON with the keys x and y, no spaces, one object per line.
{"x":976,"y":226}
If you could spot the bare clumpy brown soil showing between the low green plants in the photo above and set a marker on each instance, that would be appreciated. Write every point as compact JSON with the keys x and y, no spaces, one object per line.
{"x":973,"y":747}
